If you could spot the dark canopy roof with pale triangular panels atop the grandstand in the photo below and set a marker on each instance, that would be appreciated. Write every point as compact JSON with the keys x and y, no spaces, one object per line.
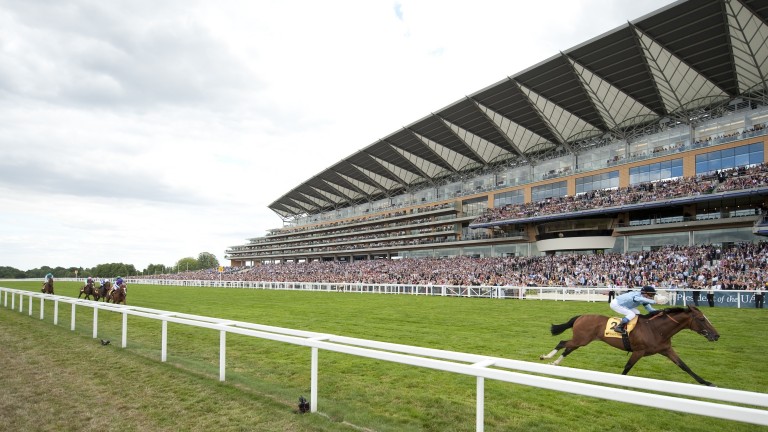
{"x":689,"y":56}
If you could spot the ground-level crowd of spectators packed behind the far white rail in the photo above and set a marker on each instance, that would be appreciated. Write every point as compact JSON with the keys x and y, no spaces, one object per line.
{"x":740,"y":266}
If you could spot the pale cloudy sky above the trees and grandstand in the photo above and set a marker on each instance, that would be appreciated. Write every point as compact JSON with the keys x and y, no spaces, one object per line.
{"x":143,"y":132}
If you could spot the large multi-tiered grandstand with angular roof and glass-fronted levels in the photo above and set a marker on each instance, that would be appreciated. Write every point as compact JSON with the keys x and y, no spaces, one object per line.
{"x":650,"y":135}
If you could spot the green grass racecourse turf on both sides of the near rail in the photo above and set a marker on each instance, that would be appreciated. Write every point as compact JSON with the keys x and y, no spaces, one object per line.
{"x":54,"y":379}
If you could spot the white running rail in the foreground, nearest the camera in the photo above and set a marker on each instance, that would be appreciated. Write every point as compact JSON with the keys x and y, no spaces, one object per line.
{"x":481,"y":367}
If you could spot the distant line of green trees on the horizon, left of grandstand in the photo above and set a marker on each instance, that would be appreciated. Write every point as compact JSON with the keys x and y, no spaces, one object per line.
{"x":205,"y":260}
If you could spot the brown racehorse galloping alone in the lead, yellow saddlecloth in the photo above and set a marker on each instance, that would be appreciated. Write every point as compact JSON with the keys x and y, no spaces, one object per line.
{"x":651,"y":335}
